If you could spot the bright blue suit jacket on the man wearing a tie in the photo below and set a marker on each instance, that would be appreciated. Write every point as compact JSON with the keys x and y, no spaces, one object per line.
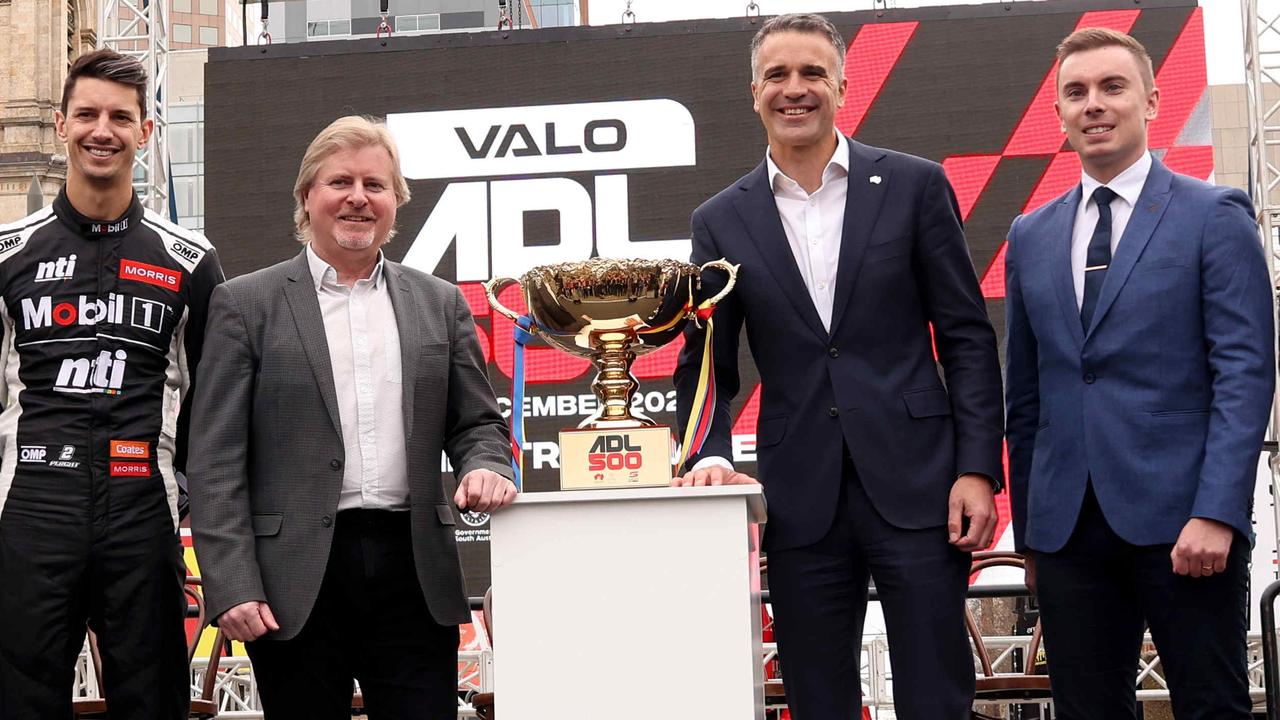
{"x":1165,"y":400}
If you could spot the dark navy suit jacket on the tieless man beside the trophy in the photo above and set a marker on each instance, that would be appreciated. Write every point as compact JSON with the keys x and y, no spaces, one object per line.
{"x":872,"y":382}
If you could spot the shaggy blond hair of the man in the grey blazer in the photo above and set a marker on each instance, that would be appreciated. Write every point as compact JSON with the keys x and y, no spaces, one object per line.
{"x":351,"y":133}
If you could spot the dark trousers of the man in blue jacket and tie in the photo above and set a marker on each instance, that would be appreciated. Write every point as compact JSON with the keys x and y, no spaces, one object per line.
{"x":1096,"y":596}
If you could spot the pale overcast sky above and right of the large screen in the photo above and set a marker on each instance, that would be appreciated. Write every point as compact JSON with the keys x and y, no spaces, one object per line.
{"x":1224,"y":44}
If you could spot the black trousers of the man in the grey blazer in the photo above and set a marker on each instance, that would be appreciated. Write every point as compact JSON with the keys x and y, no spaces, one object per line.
{"x":371,"y":623}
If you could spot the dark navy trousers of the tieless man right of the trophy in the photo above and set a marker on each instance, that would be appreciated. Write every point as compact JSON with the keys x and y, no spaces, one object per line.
{"x":820,"y":601}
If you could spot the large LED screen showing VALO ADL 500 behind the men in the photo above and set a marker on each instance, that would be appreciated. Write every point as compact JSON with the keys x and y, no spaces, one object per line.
{"x":543,"y":147}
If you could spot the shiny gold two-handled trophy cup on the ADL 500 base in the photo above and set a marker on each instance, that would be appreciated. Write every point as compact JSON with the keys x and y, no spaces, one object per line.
{"x":611,"y":312}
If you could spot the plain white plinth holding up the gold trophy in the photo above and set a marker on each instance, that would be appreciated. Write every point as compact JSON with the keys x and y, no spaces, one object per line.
{"x":628,"y":605}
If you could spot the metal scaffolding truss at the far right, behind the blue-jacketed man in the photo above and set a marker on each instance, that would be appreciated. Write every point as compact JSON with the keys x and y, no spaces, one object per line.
{"x":1261,"y":24}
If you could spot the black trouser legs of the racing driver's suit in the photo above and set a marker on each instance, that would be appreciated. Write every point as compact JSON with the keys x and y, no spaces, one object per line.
{"x":125,"y":581}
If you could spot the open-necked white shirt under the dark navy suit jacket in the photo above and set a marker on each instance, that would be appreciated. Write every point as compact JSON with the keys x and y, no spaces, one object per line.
{"x":813,"y":225}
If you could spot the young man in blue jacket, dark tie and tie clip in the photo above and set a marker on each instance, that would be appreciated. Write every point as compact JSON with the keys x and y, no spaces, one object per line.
{"x":1141,"y":373}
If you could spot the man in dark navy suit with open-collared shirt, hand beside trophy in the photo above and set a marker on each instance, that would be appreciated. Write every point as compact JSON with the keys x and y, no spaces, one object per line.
{"x":872,"y":466}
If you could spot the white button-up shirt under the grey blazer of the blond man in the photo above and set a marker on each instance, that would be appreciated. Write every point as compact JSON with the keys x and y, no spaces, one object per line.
{"x":364,"y":350}
